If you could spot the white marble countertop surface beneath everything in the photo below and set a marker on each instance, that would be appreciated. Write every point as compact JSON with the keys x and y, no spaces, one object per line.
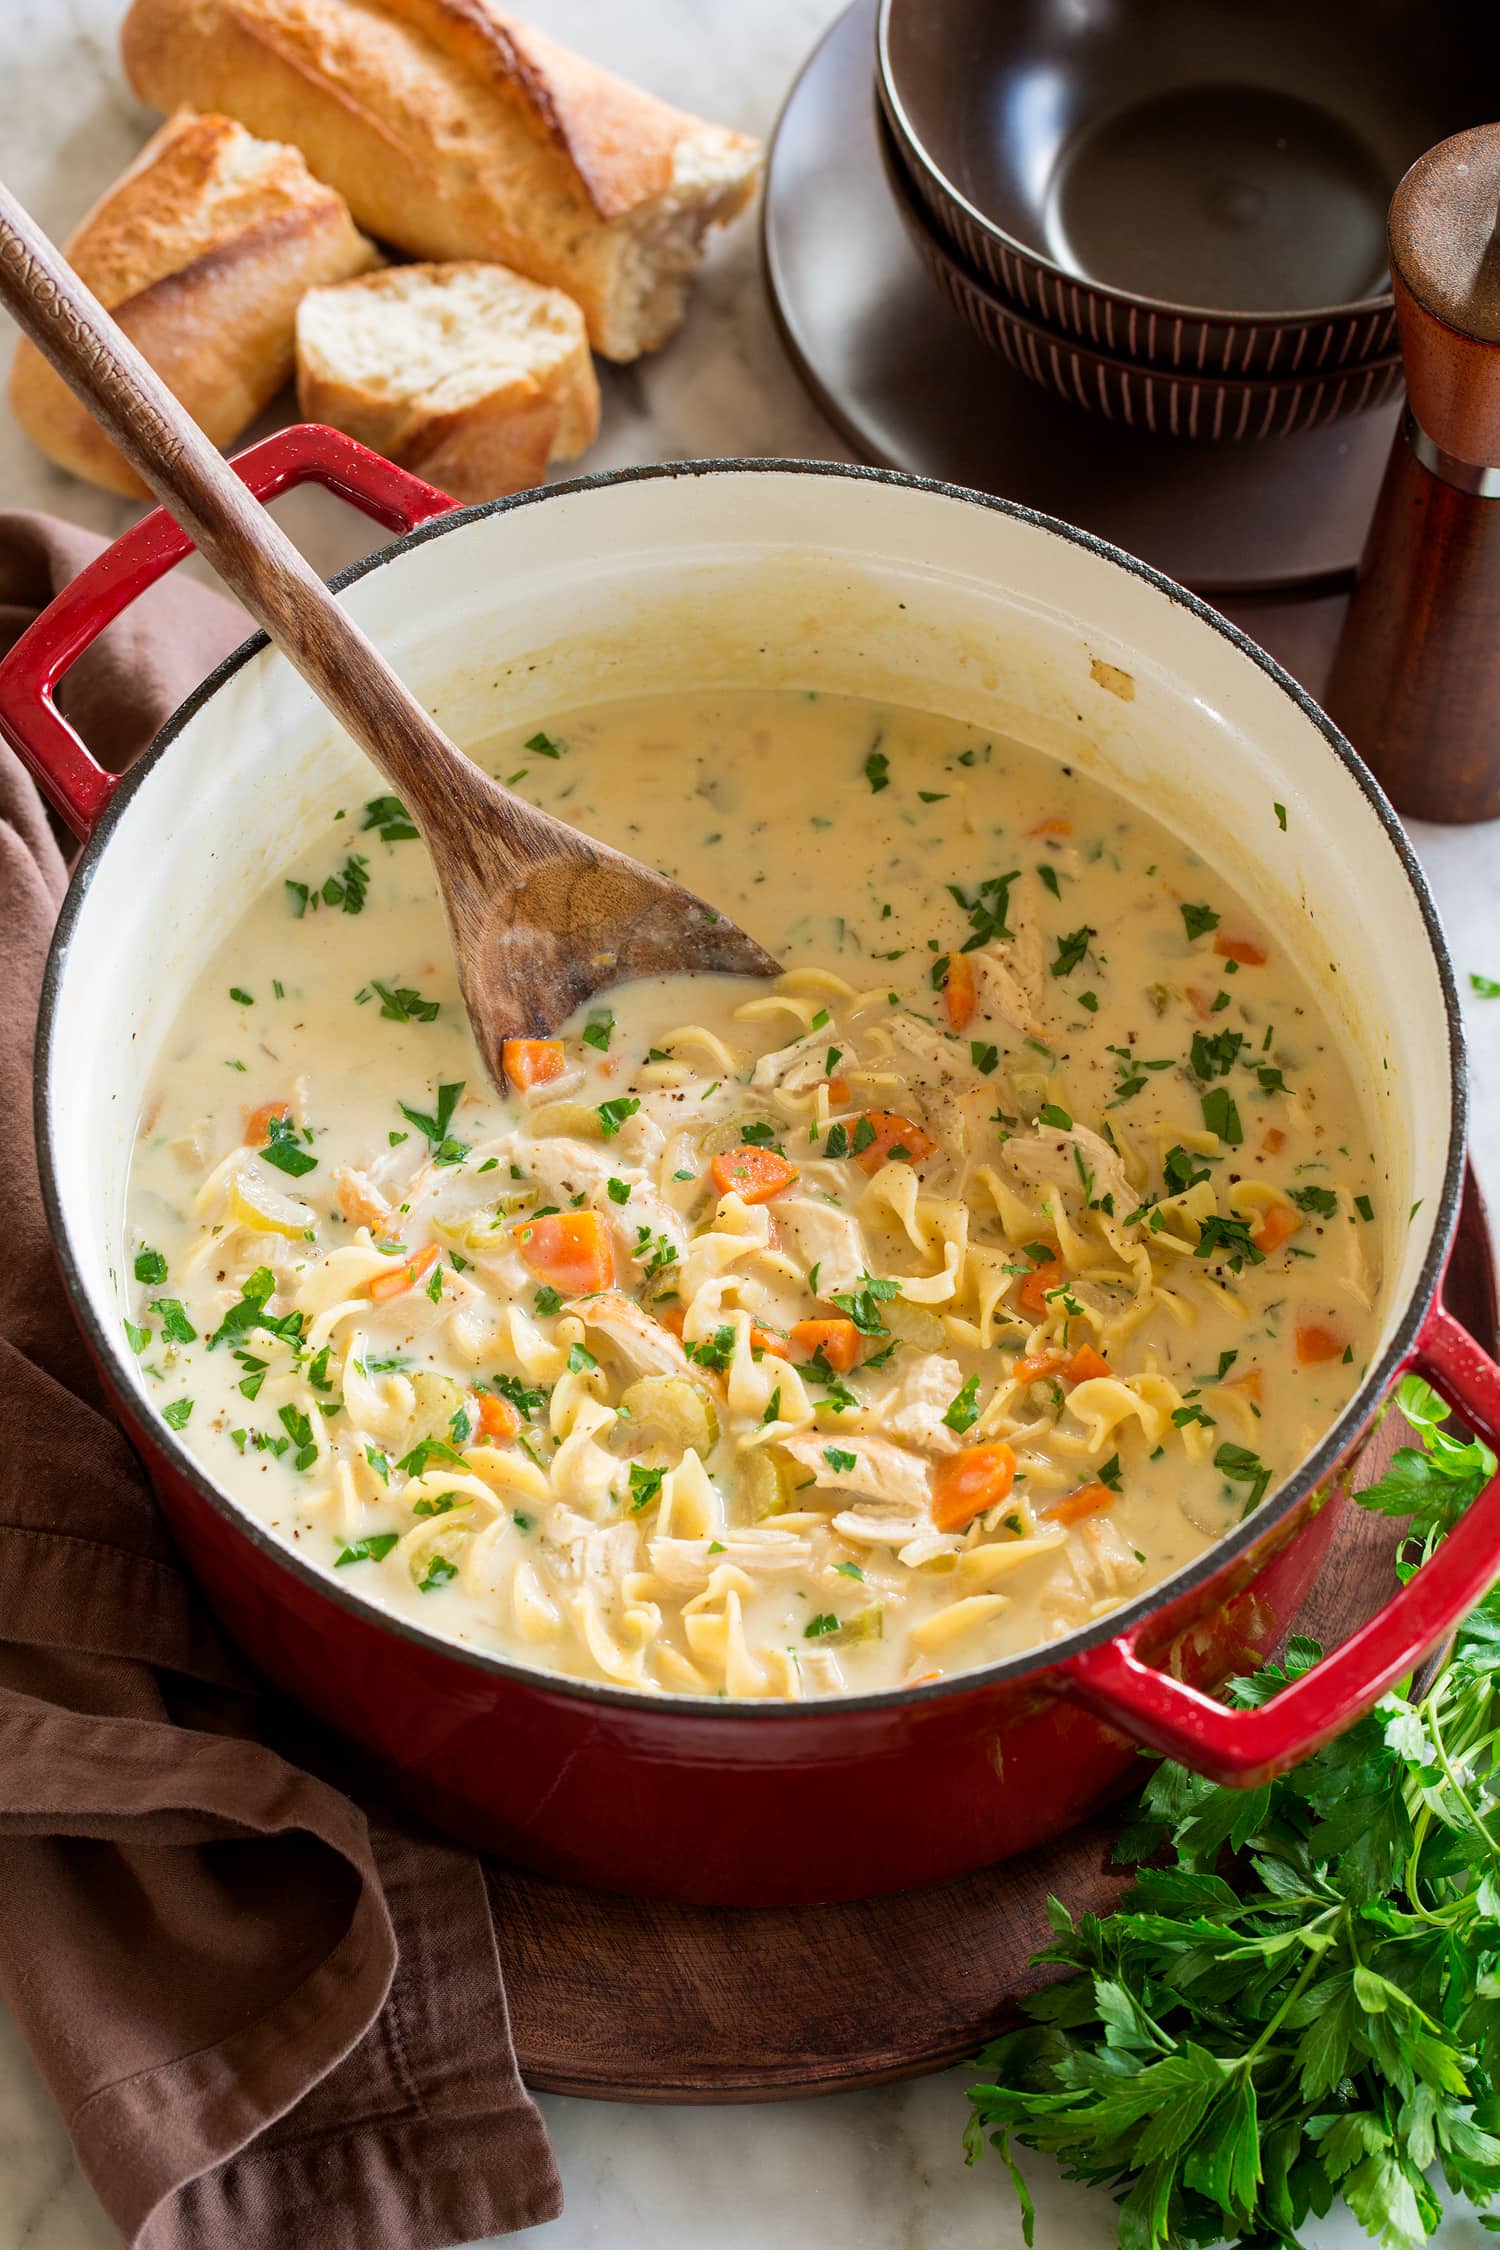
{"x":860,"y":2172}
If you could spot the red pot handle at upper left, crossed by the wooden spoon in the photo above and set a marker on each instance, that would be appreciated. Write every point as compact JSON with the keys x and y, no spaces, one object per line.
{"x":30,"y":721}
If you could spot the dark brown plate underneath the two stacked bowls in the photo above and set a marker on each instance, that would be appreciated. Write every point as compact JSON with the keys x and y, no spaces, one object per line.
{"x":905,"y":381}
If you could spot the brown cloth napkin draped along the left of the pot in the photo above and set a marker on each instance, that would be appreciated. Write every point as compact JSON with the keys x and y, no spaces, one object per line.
{"x":269,"y":2013}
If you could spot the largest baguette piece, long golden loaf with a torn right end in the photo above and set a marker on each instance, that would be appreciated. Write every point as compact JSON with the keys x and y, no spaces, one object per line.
{"x":460,"y":134}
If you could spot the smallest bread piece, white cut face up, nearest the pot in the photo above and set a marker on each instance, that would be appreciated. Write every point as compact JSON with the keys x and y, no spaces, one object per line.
{"x":467,"y":375}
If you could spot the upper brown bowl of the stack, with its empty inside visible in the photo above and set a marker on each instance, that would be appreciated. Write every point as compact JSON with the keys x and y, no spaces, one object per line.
{"x":1186,"y":183}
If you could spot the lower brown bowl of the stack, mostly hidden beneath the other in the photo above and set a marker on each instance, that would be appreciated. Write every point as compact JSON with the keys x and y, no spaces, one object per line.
{"x":1171,"y":402}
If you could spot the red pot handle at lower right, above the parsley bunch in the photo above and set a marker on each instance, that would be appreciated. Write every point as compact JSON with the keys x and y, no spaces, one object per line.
{"x":1249,"y":1747}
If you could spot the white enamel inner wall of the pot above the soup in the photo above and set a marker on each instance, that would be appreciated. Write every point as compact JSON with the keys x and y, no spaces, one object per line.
{"x":772,"y":577}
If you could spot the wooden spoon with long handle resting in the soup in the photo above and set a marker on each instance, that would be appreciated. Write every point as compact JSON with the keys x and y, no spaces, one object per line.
{"x":539,"y":915}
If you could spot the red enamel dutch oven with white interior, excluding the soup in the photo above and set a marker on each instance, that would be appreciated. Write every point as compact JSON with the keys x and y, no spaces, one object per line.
{"x":804,"y":575}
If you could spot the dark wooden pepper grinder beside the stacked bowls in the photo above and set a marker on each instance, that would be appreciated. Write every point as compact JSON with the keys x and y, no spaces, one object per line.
{"x":1416,"y":681}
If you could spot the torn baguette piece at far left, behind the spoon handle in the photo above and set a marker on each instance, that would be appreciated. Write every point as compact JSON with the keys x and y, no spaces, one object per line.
{"x":201,"y":251}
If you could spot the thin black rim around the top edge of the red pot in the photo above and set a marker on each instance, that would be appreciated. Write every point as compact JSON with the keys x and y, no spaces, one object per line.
{"x":716,"y":1711}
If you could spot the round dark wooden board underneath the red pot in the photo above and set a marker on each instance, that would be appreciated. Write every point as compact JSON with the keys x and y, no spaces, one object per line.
{"x":644,"y":2001}
